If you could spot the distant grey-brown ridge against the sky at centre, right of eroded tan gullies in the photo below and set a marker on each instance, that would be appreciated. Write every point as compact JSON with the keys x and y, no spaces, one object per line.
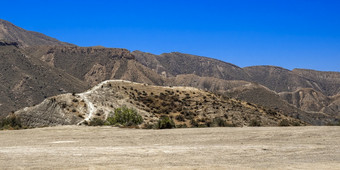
{"x":172,"y":64}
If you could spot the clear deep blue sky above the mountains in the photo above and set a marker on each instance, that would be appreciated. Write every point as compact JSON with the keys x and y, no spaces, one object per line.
{"x":286,"y":33}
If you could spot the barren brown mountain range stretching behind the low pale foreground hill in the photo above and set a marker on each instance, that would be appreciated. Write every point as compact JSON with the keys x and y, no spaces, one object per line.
{"x":35,"y":67}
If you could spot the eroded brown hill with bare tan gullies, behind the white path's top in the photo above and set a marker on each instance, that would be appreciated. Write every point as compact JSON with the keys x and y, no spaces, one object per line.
{"x":94,"y":65}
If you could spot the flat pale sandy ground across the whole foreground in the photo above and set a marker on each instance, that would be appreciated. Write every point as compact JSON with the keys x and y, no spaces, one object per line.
{"x":79,"y":147}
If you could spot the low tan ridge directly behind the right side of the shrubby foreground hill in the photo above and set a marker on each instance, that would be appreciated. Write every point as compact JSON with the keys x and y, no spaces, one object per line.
{"x":252,"y":93}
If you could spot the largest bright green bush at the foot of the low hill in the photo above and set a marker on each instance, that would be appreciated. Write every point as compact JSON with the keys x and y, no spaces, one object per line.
{"x":125,"y":116}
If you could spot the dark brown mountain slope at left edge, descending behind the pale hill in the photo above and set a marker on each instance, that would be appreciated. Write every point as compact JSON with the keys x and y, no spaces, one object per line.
{"x":26,"y":81}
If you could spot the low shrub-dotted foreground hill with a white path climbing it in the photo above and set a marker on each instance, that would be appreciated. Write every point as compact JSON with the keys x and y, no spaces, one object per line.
{"x":186,"y":105}
